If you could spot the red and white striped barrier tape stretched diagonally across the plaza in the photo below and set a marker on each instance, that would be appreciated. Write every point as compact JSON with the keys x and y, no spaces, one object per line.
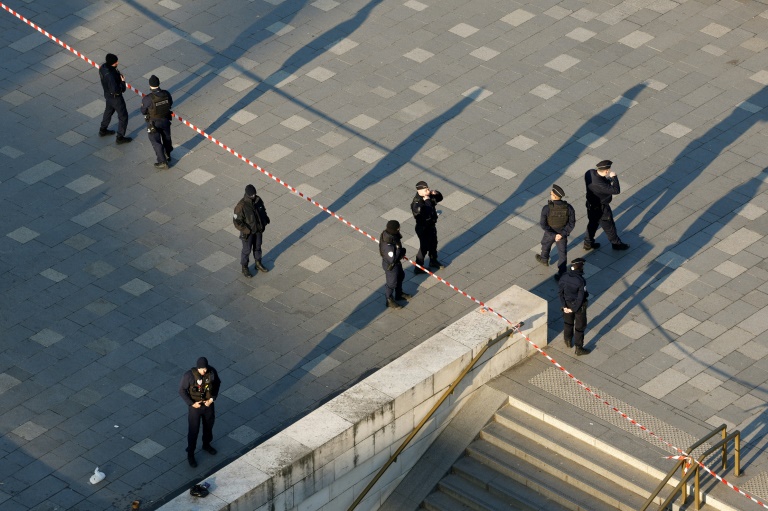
{"x":515,"y":326}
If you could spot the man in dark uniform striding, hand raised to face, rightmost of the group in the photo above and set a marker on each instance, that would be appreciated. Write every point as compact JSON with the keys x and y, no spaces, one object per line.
{"x":602,"y":184}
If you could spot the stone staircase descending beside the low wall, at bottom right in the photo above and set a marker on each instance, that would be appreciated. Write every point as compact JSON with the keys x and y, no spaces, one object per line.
{"x":519,"y":462}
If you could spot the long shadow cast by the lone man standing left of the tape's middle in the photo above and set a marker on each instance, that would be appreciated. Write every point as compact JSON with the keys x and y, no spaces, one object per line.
{"x":394,"y":160}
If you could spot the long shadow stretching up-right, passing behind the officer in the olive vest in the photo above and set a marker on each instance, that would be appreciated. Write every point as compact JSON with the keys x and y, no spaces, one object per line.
{"x":541,"y":178}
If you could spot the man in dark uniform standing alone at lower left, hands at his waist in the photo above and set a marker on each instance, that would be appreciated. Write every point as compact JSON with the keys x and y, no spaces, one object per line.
{"x":199,"y":387}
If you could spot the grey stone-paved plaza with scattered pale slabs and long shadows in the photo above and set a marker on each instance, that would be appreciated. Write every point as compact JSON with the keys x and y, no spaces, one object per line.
{"x":115,"y":277}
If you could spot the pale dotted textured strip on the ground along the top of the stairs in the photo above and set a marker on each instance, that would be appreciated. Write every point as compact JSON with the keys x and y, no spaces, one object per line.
{"x":560,"y":385}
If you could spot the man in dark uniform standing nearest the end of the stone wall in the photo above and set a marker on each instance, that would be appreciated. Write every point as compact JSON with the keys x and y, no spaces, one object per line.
{"x":573,"y":298}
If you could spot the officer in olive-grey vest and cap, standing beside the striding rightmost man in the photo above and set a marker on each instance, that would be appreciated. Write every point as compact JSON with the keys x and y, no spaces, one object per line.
{"x":558,"y":219}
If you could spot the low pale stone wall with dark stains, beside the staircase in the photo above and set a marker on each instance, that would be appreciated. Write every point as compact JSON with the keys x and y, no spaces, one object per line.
{"x":323,"y":461}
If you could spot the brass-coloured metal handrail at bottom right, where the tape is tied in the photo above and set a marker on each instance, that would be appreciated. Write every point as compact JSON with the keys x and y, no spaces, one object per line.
{"x":682,"y":486}
